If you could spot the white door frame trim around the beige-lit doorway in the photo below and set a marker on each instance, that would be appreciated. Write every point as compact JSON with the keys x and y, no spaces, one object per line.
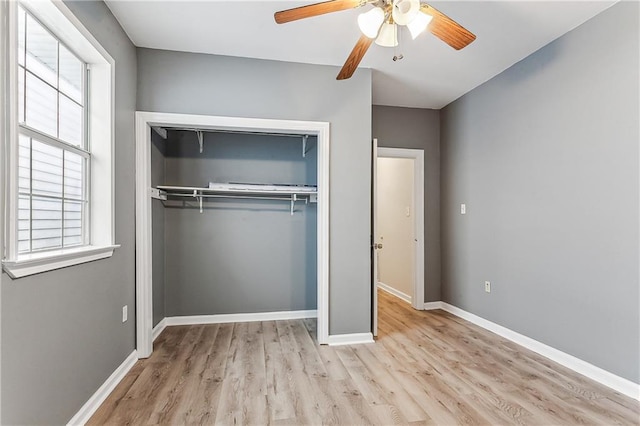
{"x":417,"y":298}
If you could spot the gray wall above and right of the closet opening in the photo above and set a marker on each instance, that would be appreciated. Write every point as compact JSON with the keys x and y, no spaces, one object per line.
{"x":217,"y":85}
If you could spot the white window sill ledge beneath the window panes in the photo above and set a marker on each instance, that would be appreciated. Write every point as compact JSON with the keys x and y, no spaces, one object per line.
{"x":43,"y":262}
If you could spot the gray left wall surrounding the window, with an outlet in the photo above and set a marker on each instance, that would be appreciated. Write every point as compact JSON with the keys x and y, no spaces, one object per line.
{"x":62,"y":334}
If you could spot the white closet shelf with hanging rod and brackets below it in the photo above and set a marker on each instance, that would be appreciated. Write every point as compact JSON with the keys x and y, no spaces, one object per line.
{"x":290,"y":193}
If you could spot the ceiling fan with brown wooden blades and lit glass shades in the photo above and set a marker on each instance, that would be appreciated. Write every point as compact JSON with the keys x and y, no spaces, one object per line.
{"x":381,"y":24}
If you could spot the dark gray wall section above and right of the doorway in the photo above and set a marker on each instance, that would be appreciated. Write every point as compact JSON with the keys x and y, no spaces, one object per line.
{"x":417,"y":128}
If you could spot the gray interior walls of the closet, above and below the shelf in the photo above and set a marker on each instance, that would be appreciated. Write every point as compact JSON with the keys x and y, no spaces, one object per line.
{"x":238,"y":255}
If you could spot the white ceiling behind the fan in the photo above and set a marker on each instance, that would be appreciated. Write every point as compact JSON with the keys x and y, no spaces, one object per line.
{"x":431,"y":75}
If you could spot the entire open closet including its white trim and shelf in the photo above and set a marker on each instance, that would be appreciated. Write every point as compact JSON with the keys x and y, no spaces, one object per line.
{"x":231,"y":221}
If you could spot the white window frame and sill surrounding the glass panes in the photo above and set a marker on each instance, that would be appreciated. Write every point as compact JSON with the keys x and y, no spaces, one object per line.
{"x":99,"y":140}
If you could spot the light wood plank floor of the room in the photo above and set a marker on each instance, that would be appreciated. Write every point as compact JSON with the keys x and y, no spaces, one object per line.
{"x":426,"y":368}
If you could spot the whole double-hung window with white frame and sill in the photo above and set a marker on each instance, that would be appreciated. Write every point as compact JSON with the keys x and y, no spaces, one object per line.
{"x":60,"y":121}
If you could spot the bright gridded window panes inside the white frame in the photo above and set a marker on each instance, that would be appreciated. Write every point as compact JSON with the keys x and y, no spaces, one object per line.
{"x":53,"y":155}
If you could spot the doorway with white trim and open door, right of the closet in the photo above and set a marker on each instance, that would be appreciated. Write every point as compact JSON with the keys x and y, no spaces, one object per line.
{"x":398,"y":223}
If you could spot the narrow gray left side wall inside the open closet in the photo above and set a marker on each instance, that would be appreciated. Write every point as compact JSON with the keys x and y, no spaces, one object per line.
{"x":158,"y":151}
